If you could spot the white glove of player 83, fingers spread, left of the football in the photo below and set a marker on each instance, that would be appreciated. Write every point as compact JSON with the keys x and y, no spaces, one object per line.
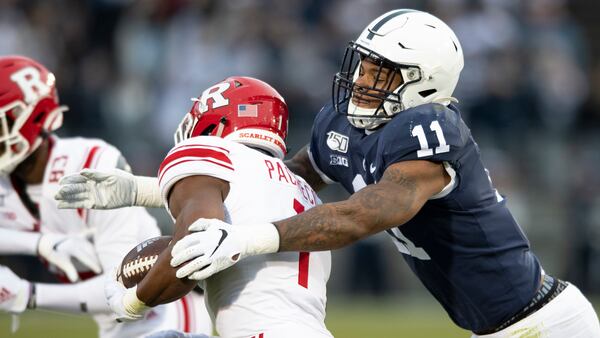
{"x":60,"y":250}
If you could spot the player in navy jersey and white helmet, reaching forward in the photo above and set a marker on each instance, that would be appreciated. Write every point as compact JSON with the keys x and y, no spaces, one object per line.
{"x":394,"y":139}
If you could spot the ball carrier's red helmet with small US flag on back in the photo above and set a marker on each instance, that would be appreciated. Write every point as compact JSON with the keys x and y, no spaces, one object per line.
{"x":242,"y":109}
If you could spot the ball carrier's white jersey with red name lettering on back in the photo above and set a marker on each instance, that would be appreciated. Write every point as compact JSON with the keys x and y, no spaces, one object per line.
{"x":276,"y":295}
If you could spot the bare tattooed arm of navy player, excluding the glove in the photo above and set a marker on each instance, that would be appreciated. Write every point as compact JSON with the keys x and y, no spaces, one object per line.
{"x":402,"y":191}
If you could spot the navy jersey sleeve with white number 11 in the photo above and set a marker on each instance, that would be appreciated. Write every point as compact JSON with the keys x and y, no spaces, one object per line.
{"x":429,"y":132}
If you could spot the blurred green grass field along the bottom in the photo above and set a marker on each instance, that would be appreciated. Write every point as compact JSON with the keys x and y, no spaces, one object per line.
{"x":386,"y":318}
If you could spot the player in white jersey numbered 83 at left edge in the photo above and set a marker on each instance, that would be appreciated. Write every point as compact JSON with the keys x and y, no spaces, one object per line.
{"x":84,"y":245}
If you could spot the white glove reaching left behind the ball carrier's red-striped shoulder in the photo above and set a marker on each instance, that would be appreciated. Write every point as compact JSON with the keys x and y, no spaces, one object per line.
{"x":95,"y":189}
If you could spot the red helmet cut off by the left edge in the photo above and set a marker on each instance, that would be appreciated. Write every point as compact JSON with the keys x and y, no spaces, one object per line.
{"x":29,"y":108}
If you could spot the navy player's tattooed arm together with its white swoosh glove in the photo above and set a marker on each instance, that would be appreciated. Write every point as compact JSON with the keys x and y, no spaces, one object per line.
{"x":401,"y":193}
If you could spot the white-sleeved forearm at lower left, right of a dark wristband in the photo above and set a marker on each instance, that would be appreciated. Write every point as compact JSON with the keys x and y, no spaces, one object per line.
{"x":83,"y":297}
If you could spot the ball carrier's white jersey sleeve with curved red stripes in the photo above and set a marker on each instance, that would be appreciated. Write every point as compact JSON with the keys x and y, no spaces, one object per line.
{"x":202,"y":155}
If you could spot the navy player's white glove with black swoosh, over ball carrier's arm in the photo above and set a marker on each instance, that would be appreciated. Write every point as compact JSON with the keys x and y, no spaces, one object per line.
{"x":215,"y":245}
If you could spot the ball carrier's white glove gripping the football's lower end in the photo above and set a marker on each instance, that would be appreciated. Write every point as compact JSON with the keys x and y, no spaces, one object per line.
{"x":123,"y":302}
